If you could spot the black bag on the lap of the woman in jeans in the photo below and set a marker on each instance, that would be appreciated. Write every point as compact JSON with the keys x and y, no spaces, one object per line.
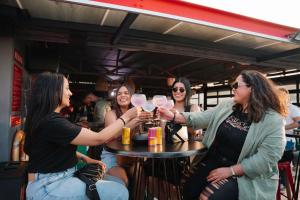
{"x":90,"y":174}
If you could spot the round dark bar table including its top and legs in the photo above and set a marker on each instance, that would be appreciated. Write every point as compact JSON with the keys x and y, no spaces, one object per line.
{"x":162,"y":160}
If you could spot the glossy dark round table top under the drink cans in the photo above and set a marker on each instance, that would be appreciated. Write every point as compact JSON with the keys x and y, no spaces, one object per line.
{"x":158,"y":151}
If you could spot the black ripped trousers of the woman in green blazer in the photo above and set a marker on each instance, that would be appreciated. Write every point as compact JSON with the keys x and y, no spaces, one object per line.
{"x":198,"y":184}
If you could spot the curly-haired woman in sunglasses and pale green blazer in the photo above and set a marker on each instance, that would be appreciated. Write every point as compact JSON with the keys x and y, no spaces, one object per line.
{"x":245,"y":138}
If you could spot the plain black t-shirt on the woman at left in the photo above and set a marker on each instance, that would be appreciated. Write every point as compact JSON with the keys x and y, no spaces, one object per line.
{"x":51,"y":150}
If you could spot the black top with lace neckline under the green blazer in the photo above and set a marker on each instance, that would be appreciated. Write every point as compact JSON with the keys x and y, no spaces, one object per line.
{"x":231,"y":136}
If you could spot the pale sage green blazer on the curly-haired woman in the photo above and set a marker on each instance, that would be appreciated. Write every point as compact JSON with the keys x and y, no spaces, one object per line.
{"x":263,"y":148}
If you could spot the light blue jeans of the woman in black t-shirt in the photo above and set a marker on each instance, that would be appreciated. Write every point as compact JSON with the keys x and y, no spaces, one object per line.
{"x":63,"y":185}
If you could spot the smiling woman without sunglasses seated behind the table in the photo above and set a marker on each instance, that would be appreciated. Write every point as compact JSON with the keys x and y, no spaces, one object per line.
{"x":121,"y":105}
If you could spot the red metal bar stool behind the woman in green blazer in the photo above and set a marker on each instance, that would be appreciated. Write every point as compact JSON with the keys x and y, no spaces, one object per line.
{"x":285,"y":167}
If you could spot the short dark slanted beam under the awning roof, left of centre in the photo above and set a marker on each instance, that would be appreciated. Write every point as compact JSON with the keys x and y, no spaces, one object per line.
{"x":123,"y":28}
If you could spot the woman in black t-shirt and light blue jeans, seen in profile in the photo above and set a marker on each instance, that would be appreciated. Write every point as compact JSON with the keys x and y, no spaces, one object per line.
{"x":51,"y":142}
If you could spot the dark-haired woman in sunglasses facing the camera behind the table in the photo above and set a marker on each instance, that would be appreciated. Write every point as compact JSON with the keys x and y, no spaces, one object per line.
{"x":181,"y":95}
